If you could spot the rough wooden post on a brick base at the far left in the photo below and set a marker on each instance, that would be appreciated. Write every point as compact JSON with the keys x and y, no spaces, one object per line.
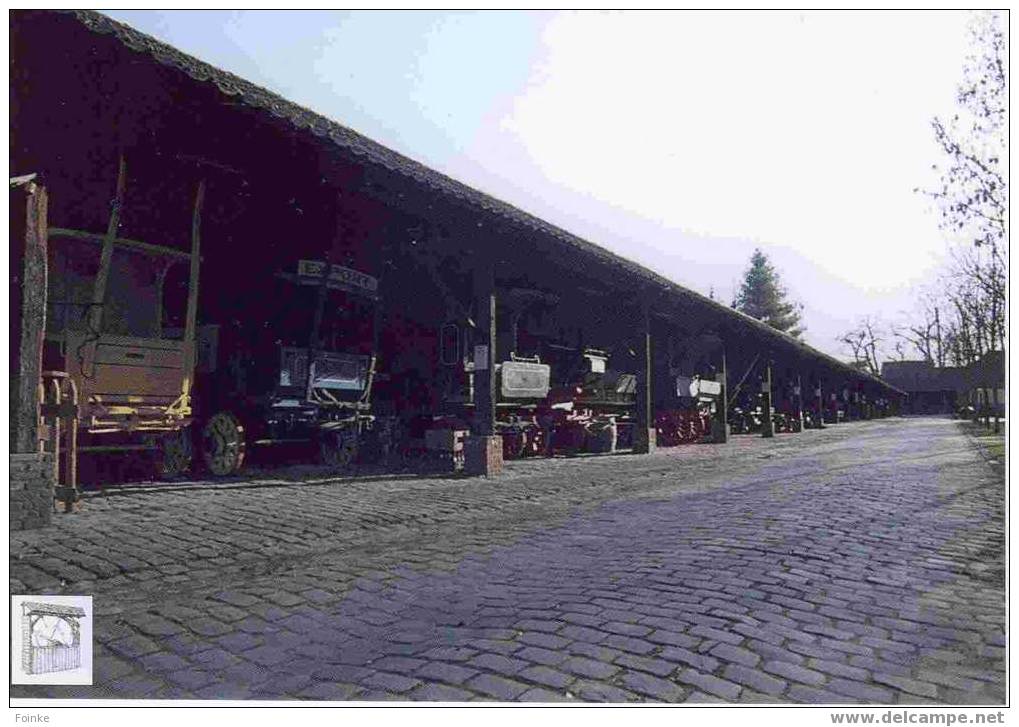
{"x":25,"y":434}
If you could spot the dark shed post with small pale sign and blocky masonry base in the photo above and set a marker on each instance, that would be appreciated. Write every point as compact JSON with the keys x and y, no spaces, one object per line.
{"x":485,"y":449}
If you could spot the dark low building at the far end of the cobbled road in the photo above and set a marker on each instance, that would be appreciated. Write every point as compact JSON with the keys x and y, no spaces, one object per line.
{"x":944,"y":390}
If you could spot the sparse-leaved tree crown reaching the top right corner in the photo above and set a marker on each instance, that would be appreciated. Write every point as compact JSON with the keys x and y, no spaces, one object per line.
{"x":968,"y":317}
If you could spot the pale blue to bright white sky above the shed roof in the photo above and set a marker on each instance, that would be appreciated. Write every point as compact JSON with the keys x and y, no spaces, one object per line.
{"x":680,"y":140}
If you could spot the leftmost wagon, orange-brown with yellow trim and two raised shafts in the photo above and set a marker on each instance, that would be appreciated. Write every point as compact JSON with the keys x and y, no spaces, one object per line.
{"x":106,"y":331}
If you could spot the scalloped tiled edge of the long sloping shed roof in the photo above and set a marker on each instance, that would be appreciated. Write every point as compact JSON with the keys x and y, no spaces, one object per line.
{"x":364,"y":148}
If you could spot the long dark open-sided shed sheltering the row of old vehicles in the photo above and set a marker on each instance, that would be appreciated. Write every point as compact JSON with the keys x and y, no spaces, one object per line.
{"x":284,"y":184}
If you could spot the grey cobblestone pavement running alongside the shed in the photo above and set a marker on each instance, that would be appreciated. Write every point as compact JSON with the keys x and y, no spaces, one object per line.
{"x":860,"y":564}
